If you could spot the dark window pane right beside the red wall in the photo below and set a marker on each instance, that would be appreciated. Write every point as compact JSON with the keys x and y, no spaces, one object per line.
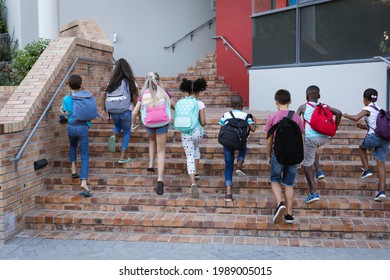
{"x":274,"y":39}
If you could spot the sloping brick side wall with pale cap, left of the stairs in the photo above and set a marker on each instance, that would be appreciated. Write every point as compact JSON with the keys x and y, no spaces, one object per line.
{"x":24,"y":107}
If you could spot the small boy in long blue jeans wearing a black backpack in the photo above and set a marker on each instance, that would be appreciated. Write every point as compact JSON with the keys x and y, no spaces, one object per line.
{"x":235,"y":128}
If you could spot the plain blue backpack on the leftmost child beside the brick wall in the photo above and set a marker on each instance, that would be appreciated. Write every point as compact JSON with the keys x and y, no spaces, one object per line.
{"x":84,"y":106}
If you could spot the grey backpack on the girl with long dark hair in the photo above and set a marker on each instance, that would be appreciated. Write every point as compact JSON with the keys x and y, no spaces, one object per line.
{"x":119,"y":100}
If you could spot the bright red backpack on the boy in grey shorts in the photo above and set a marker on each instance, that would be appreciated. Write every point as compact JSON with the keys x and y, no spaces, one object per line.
{"x":322,"y":120}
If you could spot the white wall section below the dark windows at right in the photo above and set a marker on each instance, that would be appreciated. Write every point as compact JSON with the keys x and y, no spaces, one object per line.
{"x":341,"y":86}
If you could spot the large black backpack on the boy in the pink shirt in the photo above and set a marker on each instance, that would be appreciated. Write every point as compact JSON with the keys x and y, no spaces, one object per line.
{"x":288,"y":144}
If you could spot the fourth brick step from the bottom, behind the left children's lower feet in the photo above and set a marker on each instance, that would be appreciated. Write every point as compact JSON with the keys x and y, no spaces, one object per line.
{"x":251,"y":185}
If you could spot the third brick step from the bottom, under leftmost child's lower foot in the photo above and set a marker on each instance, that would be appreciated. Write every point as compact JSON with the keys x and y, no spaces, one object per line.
{"x":211,"y":203}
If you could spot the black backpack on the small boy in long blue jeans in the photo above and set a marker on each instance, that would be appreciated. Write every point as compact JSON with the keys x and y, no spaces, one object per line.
{"x":234,"y":133}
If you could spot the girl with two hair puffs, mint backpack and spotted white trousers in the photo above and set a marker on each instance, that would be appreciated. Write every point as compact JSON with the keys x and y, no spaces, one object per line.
{"x":190,"y":117}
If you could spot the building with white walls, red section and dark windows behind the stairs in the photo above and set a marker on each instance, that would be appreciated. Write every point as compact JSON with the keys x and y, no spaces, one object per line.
{"x":261,"y":45}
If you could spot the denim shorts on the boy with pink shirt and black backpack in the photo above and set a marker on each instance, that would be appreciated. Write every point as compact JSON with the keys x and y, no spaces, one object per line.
{"x":281,"y":173}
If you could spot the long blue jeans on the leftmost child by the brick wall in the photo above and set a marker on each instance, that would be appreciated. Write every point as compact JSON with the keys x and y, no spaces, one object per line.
{"x":78,"y":134}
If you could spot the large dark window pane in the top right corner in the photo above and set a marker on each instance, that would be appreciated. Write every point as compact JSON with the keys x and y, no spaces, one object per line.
{"x":344,"y":30}
